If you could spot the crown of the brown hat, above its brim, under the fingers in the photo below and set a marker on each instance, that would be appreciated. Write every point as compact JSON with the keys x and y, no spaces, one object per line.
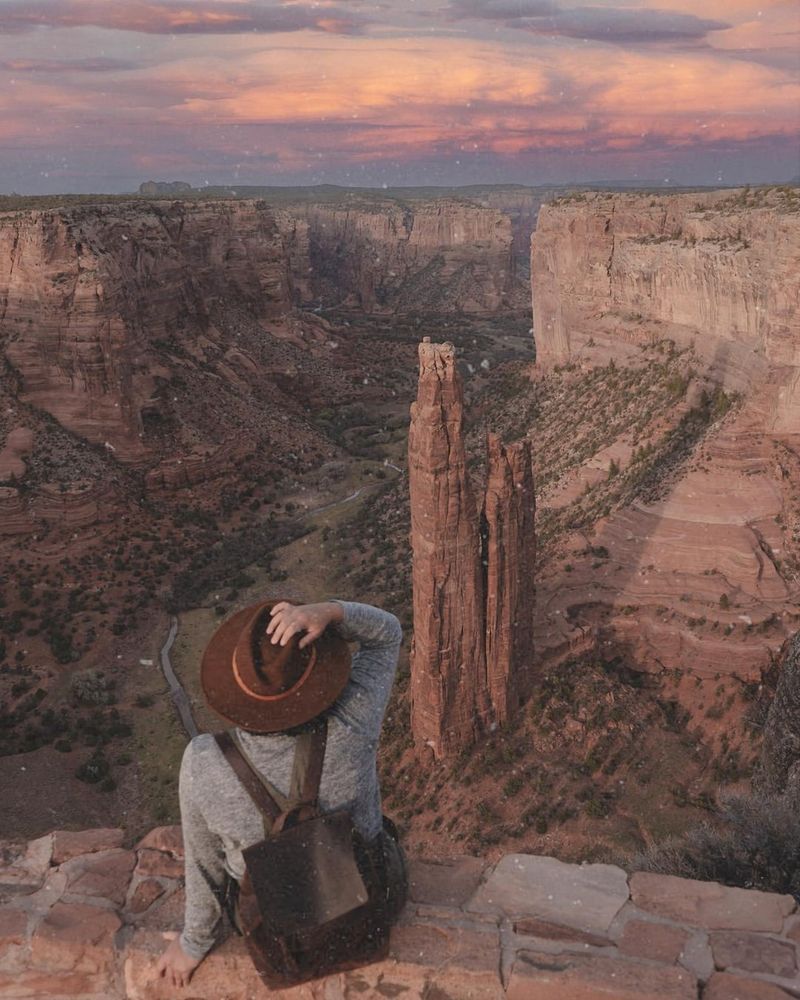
{"x":265,"y":669}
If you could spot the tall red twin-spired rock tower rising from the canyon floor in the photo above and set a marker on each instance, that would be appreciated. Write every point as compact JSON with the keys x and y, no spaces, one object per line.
{"x":471,"y":657}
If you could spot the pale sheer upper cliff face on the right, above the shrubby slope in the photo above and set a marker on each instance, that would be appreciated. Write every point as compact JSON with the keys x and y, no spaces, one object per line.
{"x":710,"y":268}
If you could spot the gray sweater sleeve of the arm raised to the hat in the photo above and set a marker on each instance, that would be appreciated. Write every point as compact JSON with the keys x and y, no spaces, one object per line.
{"x":379,"y":635}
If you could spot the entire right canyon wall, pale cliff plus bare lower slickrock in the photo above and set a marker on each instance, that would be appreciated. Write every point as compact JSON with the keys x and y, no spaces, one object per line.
{"x":699,"y":574}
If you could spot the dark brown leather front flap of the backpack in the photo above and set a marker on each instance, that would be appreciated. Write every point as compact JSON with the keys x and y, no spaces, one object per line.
{"x":307,"y":875}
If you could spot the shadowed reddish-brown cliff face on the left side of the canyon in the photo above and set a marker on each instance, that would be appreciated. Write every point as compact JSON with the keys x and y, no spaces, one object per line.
{"x":89,"y":294}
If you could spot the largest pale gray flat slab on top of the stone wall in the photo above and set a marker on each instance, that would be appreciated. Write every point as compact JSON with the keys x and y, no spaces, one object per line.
{"x":525,"y":885}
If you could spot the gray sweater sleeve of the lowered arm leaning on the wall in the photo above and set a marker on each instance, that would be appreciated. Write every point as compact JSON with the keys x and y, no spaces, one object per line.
{"x":205,"y":873}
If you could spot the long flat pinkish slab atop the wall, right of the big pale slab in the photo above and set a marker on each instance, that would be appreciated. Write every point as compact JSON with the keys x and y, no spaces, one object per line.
{"x":710,"y":905}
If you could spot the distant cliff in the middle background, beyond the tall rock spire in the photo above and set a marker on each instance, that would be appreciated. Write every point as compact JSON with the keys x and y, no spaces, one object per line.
{"x":444,"y":255}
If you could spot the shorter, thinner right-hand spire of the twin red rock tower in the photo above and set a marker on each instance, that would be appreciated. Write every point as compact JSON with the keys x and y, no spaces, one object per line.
{"x":510,"y":589}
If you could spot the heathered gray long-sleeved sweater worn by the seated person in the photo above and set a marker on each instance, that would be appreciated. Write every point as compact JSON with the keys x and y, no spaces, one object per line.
{"x":218,"y":817}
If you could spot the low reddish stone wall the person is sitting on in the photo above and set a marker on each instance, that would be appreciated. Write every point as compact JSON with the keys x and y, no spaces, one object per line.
{"x":83,"y":916}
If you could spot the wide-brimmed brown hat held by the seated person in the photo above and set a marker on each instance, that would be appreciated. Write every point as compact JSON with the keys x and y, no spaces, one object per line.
{"x":264,"y":687}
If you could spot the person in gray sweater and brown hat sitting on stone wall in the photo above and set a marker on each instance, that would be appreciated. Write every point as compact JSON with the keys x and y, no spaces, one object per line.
{"x":218,"y":817}
